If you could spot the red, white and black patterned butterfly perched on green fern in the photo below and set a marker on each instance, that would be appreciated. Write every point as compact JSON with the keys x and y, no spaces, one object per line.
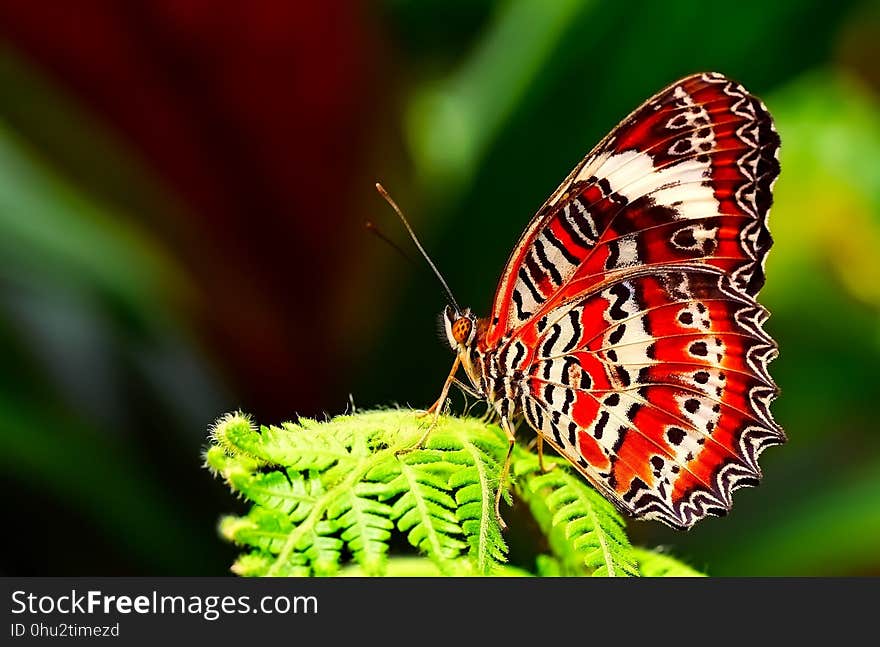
{"x":625,"y":329}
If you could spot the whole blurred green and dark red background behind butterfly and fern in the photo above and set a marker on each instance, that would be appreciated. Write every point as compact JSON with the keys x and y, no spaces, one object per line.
{"x":183,"y":188}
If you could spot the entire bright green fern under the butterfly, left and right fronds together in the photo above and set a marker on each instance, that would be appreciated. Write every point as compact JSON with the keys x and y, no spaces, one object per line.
{"x":324,"y":493}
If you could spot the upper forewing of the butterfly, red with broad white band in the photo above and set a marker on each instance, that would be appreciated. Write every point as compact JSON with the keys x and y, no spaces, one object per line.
{"x":686,"y":177}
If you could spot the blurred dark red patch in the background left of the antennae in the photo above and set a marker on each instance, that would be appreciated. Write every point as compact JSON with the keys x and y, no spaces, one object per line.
{"x":254,"y":118}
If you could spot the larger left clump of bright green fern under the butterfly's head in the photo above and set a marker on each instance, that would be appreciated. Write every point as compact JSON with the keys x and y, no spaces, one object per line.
{"x":320,"y":489}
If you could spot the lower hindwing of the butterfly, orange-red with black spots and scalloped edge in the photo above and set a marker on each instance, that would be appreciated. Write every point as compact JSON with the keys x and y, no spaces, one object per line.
{"x":656,"y":388}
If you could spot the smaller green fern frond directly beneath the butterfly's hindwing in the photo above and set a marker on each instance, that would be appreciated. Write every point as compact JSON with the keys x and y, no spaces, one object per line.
{"x":584,"y":530}
